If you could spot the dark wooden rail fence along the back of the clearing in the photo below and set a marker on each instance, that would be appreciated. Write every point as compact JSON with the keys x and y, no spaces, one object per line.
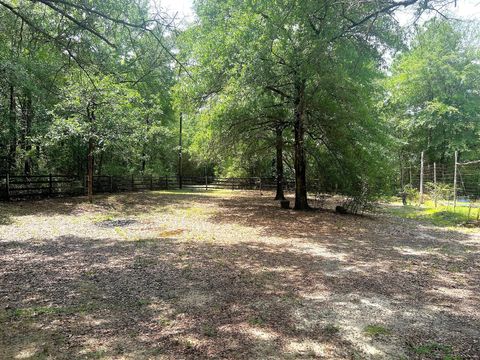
{"x":18,"y":187}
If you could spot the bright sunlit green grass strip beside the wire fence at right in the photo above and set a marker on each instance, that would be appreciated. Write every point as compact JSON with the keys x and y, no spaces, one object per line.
{"x":442,"y":215}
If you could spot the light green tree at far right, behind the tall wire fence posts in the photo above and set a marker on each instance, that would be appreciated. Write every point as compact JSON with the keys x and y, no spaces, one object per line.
{"x":434,"y":91}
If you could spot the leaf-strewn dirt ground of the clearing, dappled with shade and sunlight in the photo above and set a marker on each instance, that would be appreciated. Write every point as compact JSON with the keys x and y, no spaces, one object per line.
{"x":230,"y":275}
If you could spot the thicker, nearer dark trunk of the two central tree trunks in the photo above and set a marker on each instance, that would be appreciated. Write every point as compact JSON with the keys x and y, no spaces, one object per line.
{"x":301,"y":202}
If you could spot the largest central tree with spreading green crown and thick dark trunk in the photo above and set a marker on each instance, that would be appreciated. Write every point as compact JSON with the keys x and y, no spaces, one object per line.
{"x":286,"y":51}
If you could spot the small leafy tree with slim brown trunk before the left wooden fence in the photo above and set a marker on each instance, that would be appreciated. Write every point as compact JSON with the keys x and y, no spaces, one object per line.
{"x":104,"y":115}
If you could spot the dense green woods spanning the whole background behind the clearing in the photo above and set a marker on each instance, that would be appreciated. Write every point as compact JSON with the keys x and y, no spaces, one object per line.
{"x":334,"y":94}
